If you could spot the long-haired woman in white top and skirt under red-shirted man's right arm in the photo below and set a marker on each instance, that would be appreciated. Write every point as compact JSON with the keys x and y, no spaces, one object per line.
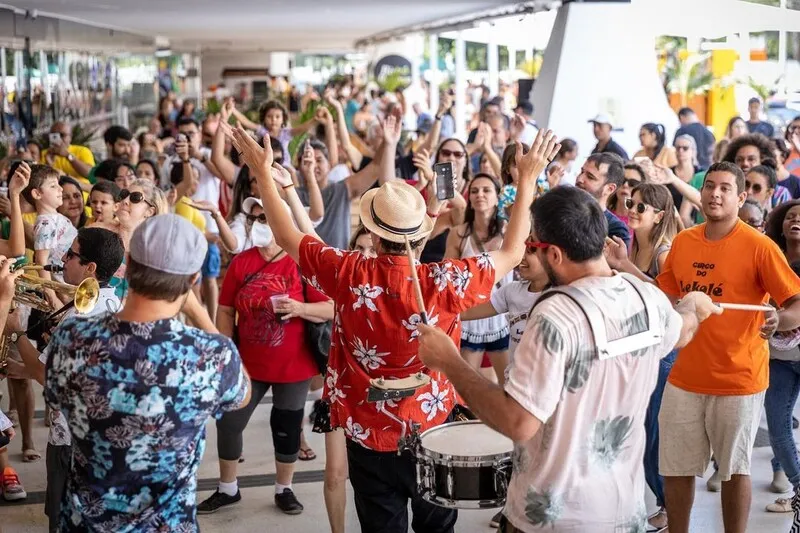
{"x":482,"y":231}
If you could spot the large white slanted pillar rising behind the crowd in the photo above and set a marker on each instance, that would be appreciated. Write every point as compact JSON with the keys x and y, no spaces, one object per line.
{"x":581,"y":77}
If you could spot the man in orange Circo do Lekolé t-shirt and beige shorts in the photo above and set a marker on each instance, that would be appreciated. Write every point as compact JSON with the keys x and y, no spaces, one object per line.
{"x":715,"y":392}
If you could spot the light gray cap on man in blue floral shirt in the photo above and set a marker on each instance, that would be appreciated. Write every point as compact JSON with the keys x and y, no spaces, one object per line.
{"x":169,"y":244}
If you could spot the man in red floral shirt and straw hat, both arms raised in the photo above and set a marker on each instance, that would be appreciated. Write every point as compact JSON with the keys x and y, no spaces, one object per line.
{"x":375,"y":326}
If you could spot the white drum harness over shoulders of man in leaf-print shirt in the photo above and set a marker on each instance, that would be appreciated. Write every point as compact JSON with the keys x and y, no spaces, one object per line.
{"x":607,"y":349}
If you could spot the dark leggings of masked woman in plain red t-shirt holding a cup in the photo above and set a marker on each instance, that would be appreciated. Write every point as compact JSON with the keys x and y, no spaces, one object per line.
{"x":286,"y":421}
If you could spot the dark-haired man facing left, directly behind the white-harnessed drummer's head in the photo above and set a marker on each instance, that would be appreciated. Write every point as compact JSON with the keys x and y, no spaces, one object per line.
{"x":602,"y":174}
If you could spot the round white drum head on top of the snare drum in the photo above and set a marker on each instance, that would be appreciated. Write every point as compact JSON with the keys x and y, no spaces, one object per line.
{"x":465,"y":441}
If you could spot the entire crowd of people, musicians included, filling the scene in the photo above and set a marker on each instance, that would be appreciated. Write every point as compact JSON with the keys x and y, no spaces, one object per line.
{"x":229,"y":265}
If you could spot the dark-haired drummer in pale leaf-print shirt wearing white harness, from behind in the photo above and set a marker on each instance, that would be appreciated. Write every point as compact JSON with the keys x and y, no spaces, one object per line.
{"x":577,"y":390}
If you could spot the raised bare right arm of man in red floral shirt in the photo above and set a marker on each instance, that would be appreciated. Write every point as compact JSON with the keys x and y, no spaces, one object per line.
{"x":530,"y":165}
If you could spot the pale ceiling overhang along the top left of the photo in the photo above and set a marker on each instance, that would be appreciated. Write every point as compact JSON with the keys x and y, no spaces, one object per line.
{"x":279,"y":25}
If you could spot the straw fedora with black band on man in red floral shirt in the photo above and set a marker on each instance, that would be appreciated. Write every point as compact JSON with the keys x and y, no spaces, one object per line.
{"x":395,"y":211}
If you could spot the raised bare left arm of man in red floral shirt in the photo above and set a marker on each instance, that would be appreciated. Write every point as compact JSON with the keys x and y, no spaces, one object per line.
{"x":259,"y":160}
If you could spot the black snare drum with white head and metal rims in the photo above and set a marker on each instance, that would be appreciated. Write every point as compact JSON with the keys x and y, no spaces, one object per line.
{"x":464,"y":465}
